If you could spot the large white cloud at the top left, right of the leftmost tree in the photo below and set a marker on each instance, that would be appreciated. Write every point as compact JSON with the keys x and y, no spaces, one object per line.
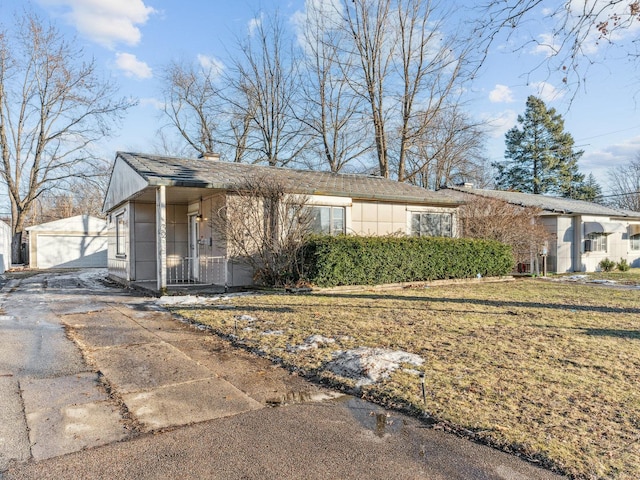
{"x":106,"y":22}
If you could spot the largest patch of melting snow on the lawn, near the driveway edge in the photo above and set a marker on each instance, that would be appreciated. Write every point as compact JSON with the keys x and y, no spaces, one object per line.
{"x":369,"y":365}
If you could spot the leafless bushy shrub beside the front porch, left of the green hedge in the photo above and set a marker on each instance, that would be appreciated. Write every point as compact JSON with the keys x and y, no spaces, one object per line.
{"x":266,"y":227}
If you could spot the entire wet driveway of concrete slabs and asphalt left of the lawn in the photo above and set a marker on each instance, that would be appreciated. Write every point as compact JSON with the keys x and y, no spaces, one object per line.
{"x":98,"y":382}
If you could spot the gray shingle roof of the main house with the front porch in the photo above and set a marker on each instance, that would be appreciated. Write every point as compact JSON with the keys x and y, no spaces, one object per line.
{"x":204,"y":173}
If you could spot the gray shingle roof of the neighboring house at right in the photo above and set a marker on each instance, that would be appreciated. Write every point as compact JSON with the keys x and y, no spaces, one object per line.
{"x":547,"y":203}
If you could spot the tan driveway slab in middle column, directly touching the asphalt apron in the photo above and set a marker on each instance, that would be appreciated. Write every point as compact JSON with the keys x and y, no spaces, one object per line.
{"x":187,"y":403}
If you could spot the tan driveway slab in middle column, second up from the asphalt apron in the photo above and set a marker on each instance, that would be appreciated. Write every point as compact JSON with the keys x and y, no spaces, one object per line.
{"x":132,"y":368}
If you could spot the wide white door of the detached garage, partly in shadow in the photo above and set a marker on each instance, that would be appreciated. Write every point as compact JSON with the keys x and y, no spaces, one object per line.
{"x":69,"y":251}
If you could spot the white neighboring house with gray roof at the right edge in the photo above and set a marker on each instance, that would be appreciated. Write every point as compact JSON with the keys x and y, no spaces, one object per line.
{"x":583,"y":233}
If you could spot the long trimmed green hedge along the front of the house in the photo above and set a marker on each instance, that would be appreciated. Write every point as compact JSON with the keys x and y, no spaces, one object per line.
{"x":351,"y":260}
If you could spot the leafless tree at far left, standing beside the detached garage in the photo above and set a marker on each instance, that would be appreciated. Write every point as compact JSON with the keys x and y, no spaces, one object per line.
{"x":52,"y":108}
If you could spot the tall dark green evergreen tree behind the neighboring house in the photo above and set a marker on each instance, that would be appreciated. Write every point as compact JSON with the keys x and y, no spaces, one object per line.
{"x":540,"y":155}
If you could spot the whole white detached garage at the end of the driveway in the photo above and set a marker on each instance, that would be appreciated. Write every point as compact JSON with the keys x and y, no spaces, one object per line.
{"x":74,"y":242}
